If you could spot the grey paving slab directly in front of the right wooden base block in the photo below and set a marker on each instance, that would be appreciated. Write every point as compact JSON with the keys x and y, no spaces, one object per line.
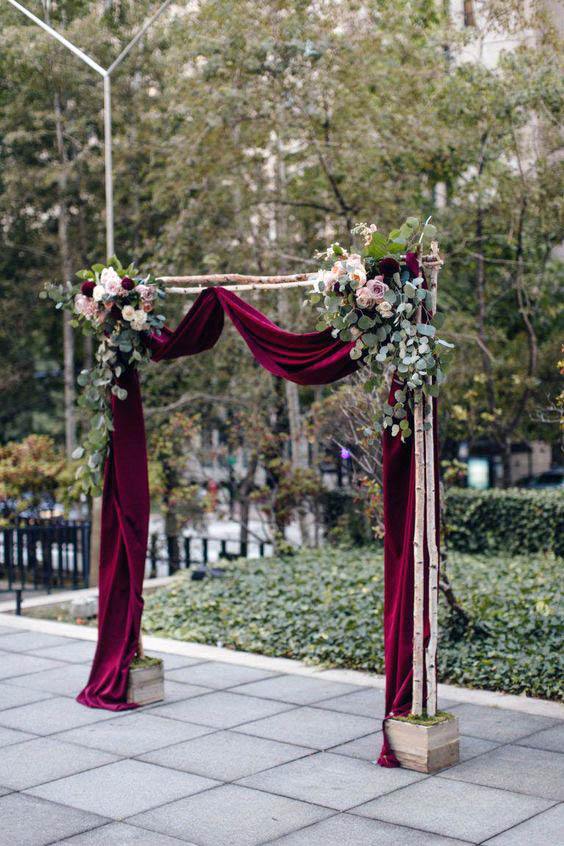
{"x":454,"y":808}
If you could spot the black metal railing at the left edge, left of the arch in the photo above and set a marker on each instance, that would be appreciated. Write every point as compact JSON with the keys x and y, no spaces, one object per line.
{"x":44,"y":556}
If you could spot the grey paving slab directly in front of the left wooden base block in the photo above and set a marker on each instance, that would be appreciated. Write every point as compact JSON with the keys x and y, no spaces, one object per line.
{"x":133,"y":734}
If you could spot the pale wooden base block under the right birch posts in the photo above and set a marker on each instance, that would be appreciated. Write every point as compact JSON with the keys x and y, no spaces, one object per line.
{"x":426,"y":749}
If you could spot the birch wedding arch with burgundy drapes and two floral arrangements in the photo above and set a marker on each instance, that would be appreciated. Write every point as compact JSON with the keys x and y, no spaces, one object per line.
{"x":387,"y":289}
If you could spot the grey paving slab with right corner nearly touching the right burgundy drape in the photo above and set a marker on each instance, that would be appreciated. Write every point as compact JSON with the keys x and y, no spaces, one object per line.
{"x":311,"y":727}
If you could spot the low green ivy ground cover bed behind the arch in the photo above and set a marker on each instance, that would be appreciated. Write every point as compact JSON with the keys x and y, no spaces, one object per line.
{"x":325,"y":607}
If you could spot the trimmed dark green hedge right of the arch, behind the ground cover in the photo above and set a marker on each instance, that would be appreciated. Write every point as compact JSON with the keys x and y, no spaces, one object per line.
{"x":512,"y":520}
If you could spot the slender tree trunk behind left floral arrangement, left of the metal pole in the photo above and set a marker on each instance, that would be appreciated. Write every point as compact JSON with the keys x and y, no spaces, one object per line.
{"x":66,"y":271}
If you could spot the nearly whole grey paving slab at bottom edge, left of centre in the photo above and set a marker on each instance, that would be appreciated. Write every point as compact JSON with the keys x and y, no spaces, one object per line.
{"x":231,"y":816}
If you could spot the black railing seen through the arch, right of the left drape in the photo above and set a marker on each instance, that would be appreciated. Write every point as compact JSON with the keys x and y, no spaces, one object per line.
{"x":166,"y":555}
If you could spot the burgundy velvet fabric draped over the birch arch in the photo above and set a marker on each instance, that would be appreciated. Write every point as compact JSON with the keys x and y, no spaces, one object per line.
{"x":308,"y":359}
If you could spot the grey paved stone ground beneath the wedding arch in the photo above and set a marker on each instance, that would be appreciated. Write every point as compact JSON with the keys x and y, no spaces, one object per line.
{"x":239,"y":756}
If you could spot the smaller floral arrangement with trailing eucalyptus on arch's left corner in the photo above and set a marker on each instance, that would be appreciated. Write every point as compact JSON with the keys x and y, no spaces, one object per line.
{"x":119,"y":308}
